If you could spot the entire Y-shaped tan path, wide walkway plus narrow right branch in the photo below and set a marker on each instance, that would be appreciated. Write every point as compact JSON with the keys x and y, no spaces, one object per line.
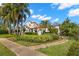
{"x":21,"y":50}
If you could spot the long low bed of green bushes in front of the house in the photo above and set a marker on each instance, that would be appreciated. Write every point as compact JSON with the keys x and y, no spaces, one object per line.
{"x":38,"y":39}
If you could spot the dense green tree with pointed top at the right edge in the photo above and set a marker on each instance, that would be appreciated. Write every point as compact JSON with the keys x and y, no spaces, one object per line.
{"x":69,"y":28}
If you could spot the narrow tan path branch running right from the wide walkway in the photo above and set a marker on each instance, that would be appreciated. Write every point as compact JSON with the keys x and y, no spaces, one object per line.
{"x":49,"y":44}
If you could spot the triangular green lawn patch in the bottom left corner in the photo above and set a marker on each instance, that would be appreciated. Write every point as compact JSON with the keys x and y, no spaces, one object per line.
{"x":5,"y":51}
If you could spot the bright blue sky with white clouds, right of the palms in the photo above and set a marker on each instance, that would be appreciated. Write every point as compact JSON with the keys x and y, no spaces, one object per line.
{"x":54,"y":12}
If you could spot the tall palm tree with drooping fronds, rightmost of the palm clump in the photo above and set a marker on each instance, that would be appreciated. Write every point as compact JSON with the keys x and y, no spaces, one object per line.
{"x":20,"y":14}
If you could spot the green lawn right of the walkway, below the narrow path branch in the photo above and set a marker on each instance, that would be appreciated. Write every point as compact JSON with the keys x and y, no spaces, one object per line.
{"x":58,"y":50}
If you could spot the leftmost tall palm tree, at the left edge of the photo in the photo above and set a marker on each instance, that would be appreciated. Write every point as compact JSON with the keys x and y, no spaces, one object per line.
{"x":4,"y":14}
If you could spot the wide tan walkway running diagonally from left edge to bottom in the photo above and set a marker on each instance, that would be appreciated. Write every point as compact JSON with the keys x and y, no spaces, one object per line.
{"x":18,"y":49}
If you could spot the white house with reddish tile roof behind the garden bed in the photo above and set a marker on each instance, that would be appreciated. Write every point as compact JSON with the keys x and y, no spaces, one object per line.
{"x":34,"y":27}
